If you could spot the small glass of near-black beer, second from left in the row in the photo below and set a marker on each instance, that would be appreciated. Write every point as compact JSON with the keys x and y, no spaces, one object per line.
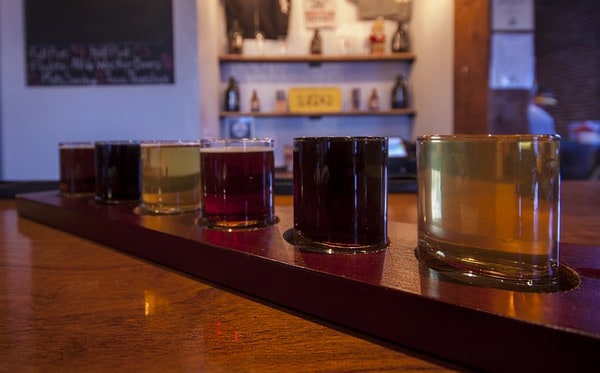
{"x":117,"y":165}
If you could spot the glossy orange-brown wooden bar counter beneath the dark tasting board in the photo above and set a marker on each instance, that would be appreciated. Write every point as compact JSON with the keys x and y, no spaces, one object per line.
{"x":70,"y":304}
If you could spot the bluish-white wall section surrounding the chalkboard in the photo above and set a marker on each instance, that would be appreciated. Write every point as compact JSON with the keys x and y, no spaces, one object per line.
{"x":34,"y":119}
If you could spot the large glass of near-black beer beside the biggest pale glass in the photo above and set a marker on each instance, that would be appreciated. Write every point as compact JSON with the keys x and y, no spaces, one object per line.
{"x":340,"y":194}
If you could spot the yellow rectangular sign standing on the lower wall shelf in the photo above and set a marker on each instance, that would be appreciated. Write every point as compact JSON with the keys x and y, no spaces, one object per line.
{"x":315,"y":99}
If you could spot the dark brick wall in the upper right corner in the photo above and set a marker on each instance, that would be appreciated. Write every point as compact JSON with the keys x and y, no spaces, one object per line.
{"x":567,"y":49}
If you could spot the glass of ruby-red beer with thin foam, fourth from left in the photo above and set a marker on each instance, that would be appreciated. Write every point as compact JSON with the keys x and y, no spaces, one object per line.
{"x":237,"y":181}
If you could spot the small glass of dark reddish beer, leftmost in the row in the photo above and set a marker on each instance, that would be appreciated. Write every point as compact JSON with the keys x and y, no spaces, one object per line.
{"x":77,"y":175}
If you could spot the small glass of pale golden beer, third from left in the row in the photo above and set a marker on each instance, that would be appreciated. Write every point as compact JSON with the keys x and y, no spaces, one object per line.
{"x":170,"y":176}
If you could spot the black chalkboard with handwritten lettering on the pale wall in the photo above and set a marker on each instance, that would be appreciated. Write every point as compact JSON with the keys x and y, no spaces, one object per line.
{"x":99,"y":42}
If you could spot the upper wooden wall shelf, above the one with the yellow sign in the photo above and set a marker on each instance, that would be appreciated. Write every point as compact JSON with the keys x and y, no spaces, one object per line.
{"x":316,"y":59}
